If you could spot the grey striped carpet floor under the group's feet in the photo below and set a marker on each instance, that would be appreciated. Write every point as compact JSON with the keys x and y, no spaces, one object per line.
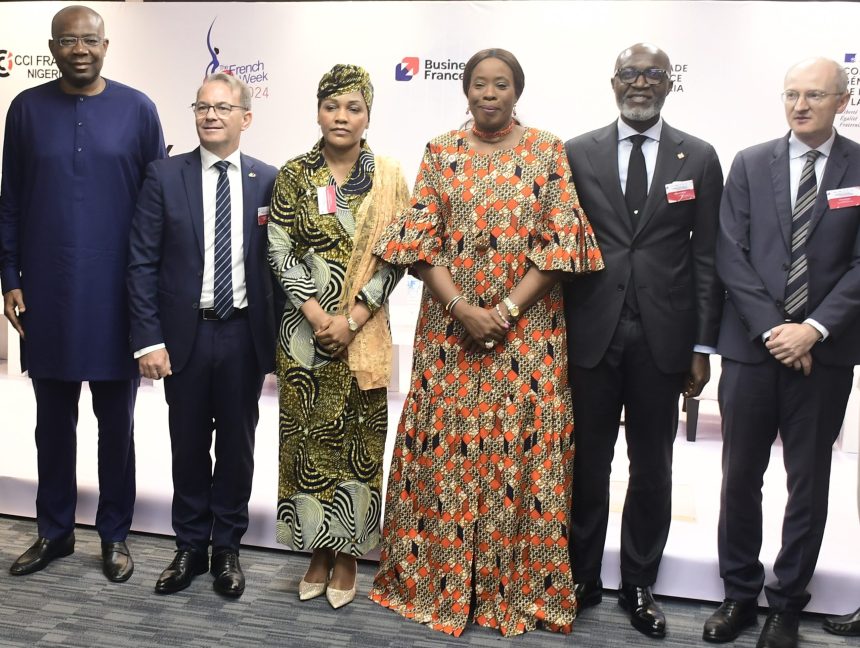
{"x":71,"y":604}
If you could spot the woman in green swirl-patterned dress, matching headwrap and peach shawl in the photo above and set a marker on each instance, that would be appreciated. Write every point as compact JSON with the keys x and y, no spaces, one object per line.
{"x":329,"y":207}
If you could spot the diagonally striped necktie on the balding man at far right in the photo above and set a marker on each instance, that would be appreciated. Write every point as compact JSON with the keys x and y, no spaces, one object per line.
{"x":798,"y":278}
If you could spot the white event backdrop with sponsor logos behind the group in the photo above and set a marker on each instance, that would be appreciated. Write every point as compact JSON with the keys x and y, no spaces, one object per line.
{"x":728,"y":62}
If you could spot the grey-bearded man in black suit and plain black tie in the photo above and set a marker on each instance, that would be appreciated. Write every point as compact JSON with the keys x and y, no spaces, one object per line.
{"x":639,"y":333}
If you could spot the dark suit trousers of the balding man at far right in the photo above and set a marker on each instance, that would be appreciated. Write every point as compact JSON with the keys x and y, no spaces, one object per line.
{"x":757,"y":401}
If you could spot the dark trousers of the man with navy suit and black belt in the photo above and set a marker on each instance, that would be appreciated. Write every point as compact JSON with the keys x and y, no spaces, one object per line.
{"x":216,"y":391}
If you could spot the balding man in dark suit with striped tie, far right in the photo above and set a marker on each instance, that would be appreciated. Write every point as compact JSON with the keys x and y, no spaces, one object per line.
{"x":788,"y":252}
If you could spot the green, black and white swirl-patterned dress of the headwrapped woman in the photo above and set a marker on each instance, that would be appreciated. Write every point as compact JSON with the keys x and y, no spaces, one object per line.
{"x":332,"y":434}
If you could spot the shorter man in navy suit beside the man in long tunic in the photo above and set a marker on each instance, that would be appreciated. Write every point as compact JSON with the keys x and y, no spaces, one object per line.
{"x":200,"y":295}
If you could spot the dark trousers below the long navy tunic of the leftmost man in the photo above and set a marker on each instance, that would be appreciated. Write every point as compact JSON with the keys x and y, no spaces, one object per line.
{"x":56,"y":444}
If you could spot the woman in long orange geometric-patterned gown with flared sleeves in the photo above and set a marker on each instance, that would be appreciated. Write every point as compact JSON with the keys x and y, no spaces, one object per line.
{"x":476,"y":514}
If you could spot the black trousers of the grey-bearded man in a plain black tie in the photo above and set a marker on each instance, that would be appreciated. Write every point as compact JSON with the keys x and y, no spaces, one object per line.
{"x":626,"y":377}
